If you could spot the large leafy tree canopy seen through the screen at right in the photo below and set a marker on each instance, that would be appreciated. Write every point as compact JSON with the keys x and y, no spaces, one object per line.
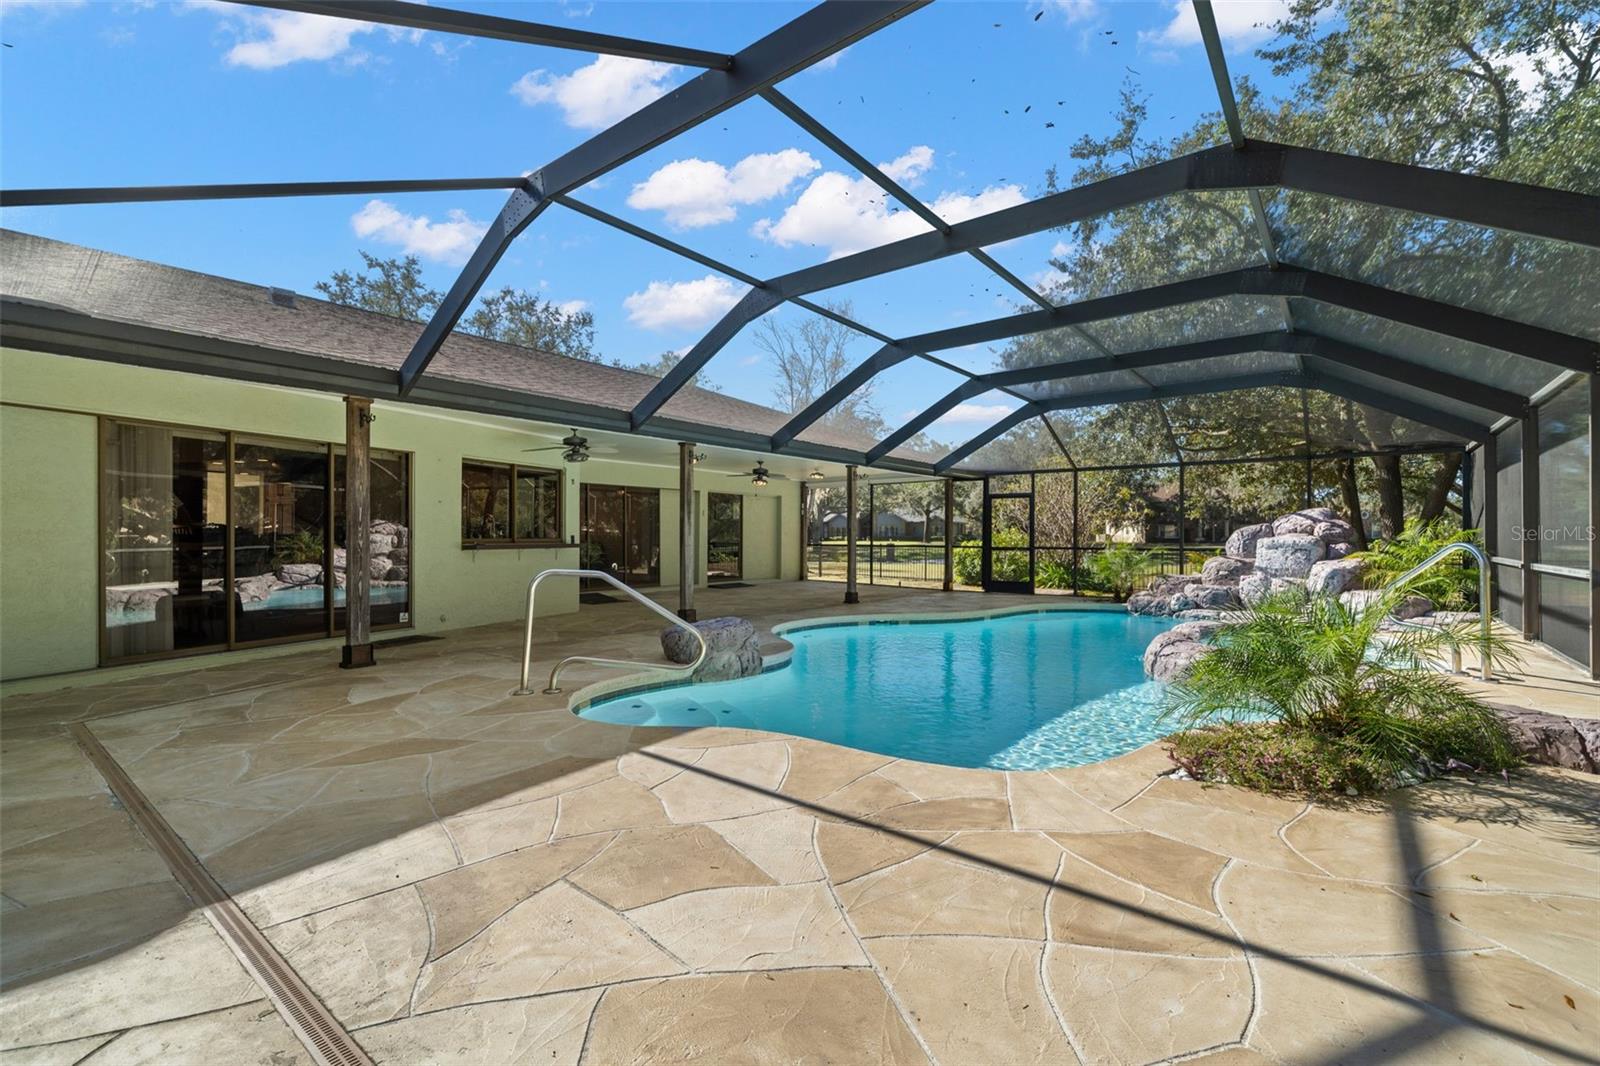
{"x":1505,"y":89}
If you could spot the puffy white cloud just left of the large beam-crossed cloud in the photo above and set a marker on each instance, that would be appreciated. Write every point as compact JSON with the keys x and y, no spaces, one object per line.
{"x":698,"y":193}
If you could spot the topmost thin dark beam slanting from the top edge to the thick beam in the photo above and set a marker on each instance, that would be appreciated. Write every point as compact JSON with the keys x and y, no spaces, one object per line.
{"x":497,"y":28}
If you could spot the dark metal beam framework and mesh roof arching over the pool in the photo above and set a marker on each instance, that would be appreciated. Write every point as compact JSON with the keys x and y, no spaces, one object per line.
{"x":1279,"y":316}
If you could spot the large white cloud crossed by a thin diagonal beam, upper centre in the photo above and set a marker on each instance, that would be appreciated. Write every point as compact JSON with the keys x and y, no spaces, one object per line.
{"x":846,"y":214}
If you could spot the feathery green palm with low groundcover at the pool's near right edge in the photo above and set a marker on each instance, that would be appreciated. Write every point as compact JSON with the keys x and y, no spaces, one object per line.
{"x":1330,"y":684}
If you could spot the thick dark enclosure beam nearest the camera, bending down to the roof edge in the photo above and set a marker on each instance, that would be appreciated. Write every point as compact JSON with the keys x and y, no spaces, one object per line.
{"x":809,"y":39}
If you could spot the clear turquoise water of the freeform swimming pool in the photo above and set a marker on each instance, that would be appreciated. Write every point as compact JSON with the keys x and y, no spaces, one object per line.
{"x":1020,"y":692}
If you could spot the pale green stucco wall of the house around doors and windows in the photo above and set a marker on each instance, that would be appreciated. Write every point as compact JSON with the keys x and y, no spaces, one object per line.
{"x":49,"y":468}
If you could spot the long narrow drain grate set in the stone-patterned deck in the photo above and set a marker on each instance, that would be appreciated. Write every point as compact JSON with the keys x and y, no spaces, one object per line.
{"x":322,"y":1035}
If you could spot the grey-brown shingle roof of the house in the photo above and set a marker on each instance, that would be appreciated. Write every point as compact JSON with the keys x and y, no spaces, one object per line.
{"x":137,"y":292}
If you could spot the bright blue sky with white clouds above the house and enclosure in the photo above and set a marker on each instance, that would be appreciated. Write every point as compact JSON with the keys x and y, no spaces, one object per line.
{"x":967,"y":103}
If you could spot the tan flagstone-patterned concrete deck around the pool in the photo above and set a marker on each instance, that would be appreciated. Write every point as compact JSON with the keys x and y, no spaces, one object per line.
{"x":471,"y":878}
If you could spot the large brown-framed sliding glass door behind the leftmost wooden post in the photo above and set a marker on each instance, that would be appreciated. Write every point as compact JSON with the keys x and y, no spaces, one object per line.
{"x":217,"y":542}
